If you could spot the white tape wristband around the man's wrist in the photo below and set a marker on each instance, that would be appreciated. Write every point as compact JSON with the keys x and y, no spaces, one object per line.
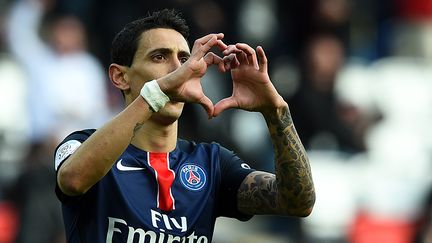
{"x":154,"y":96}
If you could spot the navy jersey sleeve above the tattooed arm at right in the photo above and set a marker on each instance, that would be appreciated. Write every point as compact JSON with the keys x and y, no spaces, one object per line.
{"x":233,"y":171}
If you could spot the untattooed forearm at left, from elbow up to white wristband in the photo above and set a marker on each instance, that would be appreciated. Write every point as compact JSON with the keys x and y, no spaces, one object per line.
{"x":95,"y":157}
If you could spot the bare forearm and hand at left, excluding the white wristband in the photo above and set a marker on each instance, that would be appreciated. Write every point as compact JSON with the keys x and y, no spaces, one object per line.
{"x":104,"y":147}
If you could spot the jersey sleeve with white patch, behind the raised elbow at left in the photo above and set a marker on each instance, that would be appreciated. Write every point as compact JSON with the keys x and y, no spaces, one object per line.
{"x":67,"y":147}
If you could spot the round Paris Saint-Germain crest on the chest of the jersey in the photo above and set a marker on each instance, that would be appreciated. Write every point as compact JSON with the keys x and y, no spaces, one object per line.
{"x":193,"y":177}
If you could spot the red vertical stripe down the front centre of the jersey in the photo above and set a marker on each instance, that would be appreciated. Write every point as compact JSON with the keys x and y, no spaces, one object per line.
{"x":165,"y":178}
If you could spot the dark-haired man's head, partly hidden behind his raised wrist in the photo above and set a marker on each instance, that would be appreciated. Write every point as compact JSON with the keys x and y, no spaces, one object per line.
{"x":148,"y":49}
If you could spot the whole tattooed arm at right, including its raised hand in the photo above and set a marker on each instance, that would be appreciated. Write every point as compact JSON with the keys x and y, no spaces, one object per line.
{"x":290,"y":191}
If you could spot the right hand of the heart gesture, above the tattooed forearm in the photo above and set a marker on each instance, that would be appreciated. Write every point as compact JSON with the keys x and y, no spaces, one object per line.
{"x":252,"y":88}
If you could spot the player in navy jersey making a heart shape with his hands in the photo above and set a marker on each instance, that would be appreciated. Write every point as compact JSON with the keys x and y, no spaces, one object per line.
{"x":133,"y":180}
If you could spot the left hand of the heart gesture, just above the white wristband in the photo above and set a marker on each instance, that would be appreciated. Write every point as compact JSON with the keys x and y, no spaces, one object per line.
{"x":184,"y":84}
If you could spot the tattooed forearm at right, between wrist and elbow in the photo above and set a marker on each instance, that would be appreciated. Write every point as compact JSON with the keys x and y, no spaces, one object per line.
{"x":294,"y":185}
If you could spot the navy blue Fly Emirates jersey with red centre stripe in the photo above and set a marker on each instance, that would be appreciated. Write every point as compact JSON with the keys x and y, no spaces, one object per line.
{"x":155,"y":197}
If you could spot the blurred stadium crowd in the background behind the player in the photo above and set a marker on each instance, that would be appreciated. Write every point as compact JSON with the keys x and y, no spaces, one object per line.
{"x":357,"y":75}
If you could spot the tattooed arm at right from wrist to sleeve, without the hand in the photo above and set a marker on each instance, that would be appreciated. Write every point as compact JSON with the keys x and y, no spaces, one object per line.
{"x":291,"y":190}
